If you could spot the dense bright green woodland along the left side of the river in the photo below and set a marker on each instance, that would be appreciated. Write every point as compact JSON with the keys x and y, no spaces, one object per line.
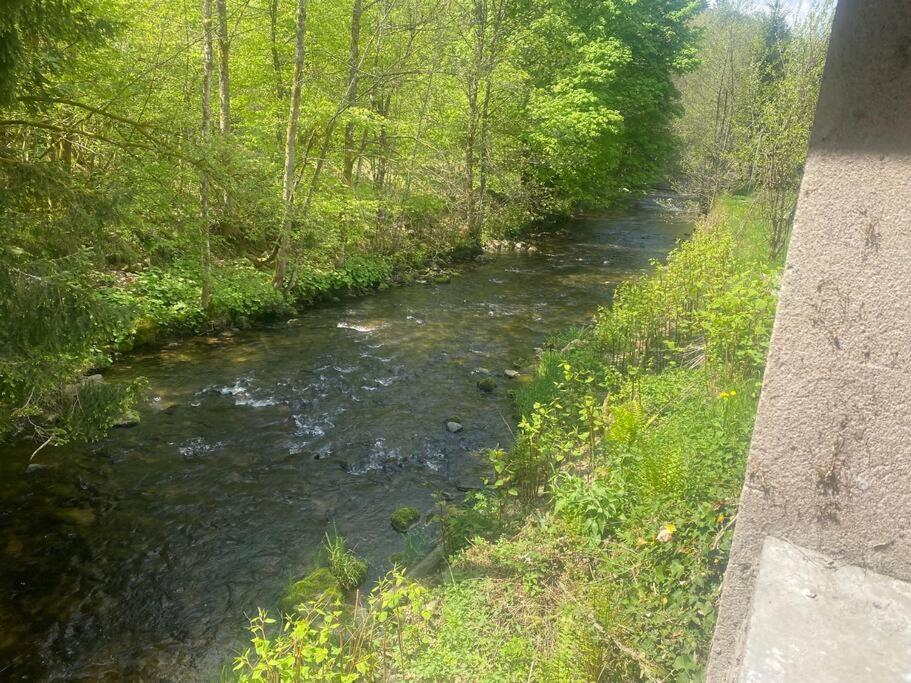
{"x":169,"y":166}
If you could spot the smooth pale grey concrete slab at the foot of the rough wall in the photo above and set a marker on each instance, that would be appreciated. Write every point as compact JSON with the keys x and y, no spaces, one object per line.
{"x":816,"y":620}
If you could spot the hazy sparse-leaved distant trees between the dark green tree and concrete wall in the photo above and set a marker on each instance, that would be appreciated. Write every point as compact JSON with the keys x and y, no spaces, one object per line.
{"x":750,"y":107}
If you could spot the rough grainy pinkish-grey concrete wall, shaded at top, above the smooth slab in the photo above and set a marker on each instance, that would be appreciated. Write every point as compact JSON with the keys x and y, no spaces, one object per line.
{"x":830,"y":467}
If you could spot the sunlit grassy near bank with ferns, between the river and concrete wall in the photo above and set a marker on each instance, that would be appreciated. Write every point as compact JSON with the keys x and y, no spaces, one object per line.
{"x":597,"y":551}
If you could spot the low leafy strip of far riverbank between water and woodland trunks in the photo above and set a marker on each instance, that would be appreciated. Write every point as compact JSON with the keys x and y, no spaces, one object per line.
{"x":149,"y":307}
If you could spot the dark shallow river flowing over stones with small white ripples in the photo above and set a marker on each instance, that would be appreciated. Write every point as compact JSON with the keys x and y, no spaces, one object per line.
{"x":138,"y":557}
